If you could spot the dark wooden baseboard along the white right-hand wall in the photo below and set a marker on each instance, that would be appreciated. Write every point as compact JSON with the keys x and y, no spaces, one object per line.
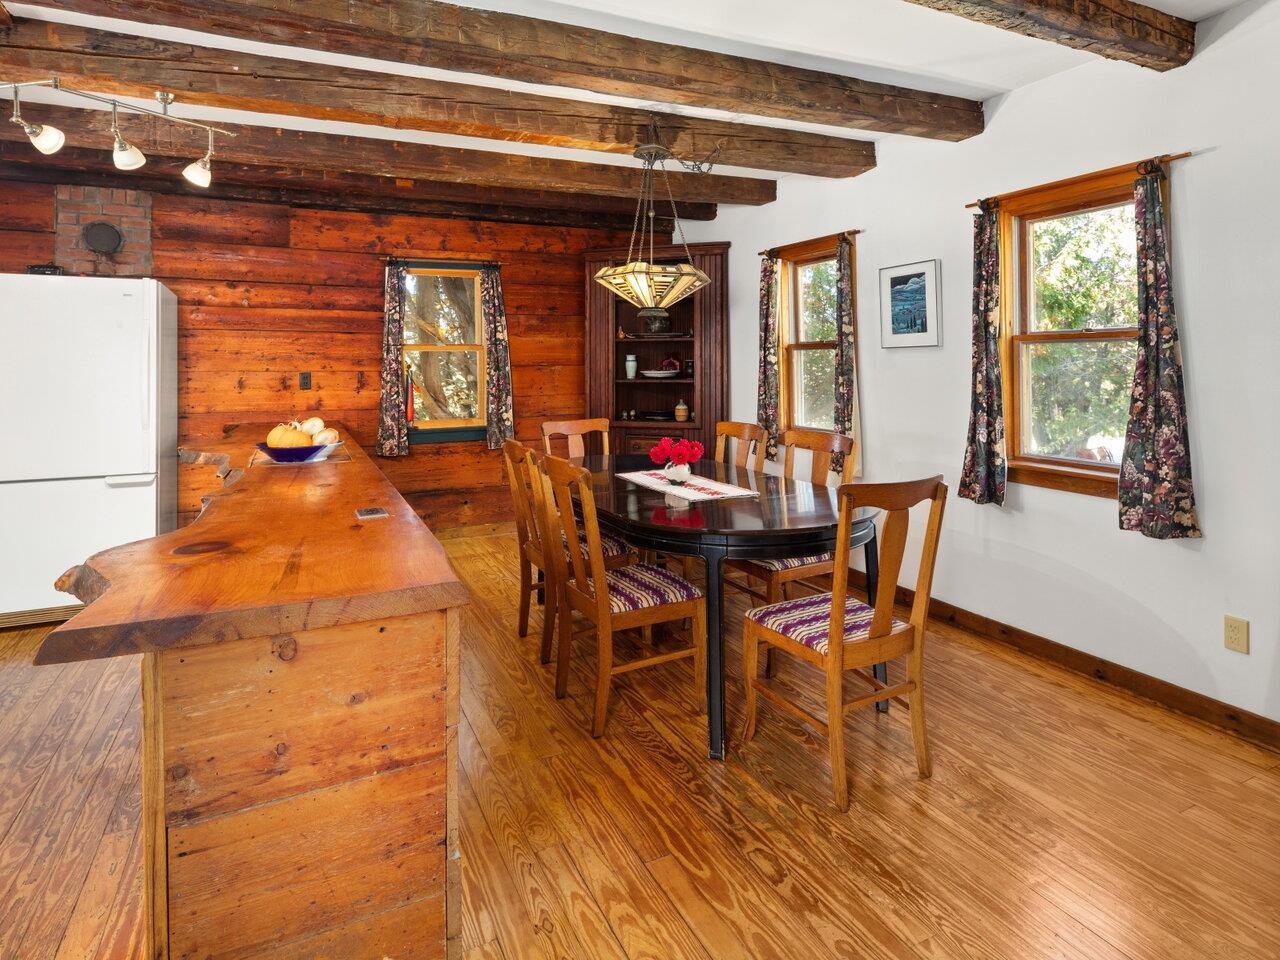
{"x":1244,"y":724}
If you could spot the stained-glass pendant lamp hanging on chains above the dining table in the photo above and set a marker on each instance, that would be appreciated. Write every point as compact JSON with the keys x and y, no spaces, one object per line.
{"x":655,"y":287}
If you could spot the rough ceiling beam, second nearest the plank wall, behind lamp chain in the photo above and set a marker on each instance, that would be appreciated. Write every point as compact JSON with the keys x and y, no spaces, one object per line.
{"x":386,"y":158}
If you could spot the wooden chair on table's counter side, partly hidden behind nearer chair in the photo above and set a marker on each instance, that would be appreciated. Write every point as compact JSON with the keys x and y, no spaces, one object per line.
{"x":531,"y":542}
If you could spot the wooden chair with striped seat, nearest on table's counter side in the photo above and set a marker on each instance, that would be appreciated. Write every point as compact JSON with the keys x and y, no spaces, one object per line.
{"x":611,"y":601}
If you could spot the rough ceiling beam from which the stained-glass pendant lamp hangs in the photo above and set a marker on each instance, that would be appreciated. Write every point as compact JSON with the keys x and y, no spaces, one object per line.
{"x":127,"y":66}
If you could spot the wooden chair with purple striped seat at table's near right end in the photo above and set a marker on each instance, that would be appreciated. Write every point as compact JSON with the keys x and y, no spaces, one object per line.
{"x":840,"y":634}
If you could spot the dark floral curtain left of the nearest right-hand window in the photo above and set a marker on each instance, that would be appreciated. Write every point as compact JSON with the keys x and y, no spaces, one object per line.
{"x":982,"y":478}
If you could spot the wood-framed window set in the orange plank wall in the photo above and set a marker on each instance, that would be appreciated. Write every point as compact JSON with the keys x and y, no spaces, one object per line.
{"x":445,"y":359}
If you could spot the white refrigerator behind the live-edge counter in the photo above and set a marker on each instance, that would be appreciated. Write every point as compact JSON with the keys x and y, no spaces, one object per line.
{"x":89,"y":428}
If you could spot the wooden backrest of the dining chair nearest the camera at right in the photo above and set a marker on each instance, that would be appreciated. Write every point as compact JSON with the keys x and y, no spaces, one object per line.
{"x":897,"y":502}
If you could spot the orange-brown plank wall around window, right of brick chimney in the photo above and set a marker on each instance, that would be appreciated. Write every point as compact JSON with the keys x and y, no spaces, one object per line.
{"x":267,"y":292}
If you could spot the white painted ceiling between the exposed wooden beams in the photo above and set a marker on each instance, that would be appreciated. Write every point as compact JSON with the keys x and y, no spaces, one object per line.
{"x":883,"y":40}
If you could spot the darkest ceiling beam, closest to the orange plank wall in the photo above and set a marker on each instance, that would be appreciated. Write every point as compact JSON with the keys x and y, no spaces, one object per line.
{"x":317,"y":189}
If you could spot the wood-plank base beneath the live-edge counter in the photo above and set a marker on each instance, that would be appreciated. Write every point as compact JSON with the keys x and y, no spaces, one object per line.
{"x":298,"y":793}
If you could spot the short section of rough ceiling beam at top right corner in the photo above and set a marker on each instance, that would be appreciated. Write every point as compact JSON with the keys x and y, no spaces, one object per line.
{"x":1119,"y":30}
